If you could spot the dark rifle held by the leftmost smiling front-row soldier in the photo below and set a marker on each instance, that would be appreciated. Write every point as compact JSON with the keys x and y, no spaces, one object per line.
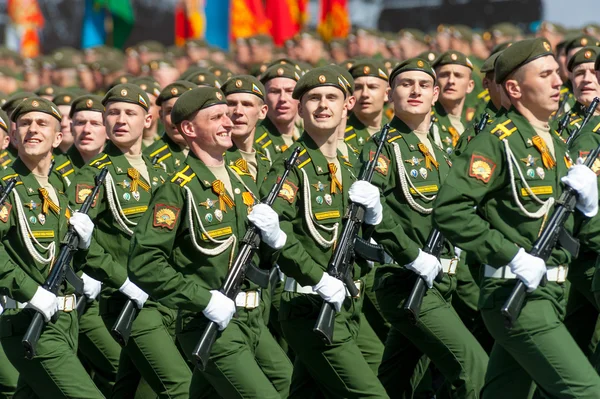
{"x":61,"y":271}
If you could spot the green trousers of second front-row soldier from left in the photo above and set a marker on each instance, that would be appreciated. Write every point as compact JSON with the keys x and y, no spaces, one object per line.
{"x":151,"y":352}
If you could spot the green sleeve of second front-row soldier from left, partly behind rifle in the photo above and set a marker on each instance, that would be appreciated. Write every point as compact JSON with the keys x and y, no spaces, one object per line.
{"x":95,"y":261}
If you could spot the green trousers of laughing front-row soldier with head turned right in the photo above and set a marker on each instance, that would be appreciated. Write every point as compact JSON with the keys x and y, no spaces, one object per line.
{"x":245,"y":361}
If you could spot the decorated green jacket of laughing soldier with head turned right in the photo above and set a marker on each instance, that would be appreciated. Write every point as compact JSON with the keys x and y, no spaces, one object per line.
{"x":185,"y":243}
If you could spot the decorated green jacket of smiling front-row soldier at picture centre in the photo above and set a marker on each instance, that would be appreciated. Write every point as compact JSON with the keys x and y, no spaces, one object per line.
{"x":309,"y":212}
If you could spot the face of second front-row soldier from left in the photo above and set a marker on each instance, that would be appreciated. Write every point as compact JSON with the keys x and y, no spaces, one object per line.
{"x":125,"y":123}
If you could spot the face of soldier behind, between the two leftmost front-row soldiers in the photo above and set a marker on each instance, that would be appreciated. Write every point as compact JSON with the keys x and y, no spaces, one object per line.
{"x":88,"y":131}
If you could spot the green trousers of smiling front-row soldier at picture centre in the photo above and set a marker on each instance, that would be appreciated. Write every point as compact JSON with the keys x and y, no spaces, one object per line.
{"x":339,"y":369}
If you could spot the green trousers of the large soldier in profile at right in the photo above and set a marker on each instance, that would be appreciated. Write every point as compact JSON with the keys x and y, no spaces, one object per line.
{"x":537,"y":349}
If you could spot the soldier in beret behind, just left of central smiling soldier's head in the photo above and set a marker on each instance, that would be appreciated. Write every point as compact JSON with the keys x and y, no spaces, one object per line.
{"x":278,"y":131}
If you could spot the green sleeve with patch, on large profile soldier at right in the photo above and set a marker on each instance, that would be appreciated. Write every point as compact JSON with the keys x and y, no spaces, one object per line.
{"x":475,"y":175}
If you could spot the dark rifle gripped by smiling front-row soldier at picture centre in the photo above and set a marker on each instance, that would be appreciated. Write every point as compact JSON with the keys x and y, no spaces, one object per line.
{"x":341,"y":263}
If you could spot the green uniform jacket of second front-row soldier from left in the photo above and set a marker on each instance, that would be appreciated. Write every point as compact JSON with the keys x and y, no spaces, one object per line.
{"x":115,"y":214}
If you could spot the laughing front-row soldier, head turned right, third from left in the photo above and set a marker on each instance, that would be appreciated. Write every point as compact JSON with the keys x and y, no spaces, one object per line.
{"x":185,"y":244}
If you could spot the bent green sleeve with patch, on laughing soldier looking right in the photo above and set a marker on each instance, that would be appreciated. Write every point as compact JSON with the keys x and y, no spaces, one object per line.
{"x":151,"y":249}
